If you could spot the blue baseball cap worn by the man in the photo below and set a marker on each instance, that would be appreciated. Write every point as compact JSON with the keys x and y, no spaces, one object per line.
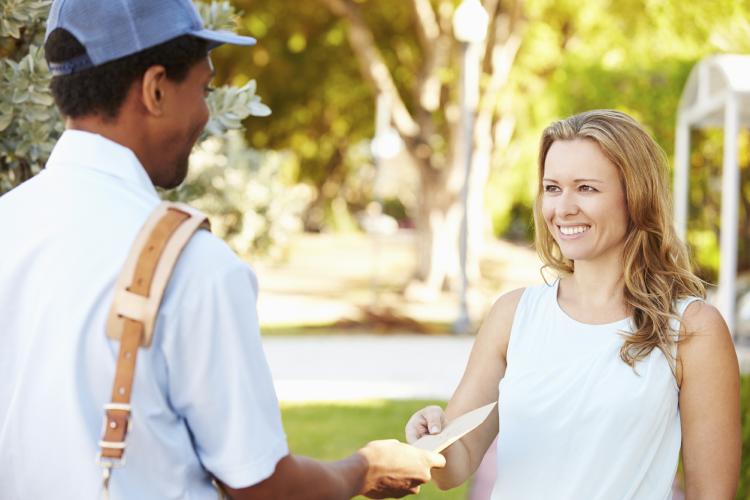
{"x":111,"y":29}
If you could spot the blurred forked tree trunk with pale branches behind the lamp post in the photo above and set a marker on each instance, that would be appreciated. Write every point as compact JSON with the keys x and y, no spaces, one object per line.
{"x":439,"y":212}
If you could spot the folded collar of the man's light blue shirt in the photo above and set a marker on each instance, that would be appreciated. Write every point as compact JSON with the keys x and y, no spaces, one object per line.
{"x":77,"y":148}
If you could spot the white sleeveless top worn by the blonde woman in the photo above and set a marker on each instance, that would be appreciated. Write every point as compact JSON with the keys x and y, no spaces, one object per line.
{"x":576,"y":422}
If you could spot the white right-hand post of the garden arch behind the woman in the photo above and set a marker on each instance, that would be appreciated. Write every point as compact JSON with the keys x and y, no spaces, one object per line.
{"x":729,"y":215}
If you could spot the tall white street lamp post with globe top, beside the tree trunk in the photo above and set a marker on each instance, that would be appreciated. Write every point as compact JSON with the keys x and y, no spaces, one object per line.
{"x":470,"y":28}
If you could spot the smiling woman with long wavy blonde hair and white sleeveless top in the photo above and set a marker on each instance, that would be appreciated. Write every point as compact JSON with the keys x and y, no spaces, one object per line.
{"x":603,"y":375}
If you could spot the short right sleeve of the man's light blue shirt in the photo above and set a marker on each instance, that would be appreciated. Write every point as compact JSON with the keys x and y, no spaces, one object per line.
{"x":219,"y":379}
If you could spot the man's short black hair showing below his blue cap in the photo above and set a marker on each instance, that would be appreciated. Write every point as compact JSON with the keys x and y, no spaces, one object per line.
{"x":102,"y":89}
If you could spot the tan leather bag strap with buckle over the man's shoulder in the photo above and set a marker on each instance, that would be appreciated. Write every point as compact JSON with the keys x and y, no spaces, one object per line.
{"x":138,"y":293}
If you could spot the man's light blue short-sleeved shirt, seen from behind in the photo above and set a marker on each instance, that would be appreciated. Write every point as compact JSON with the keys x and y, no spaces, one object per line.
{"x":203,"y":398}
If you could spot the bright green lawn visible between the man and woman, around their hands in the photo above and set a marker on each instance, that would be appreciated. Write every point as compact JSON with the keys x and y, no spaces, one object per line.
{"x":330,"y":431}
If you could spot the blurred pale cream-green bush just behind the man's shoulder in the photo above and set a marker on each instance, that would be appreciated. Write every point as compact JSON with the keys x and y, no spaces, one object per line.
{"x":250,"y":195}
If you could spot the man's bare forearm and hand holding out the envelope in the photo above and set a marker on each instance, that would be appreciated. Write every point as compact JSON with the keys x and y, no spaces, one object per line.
{"x":382,"y":469}
